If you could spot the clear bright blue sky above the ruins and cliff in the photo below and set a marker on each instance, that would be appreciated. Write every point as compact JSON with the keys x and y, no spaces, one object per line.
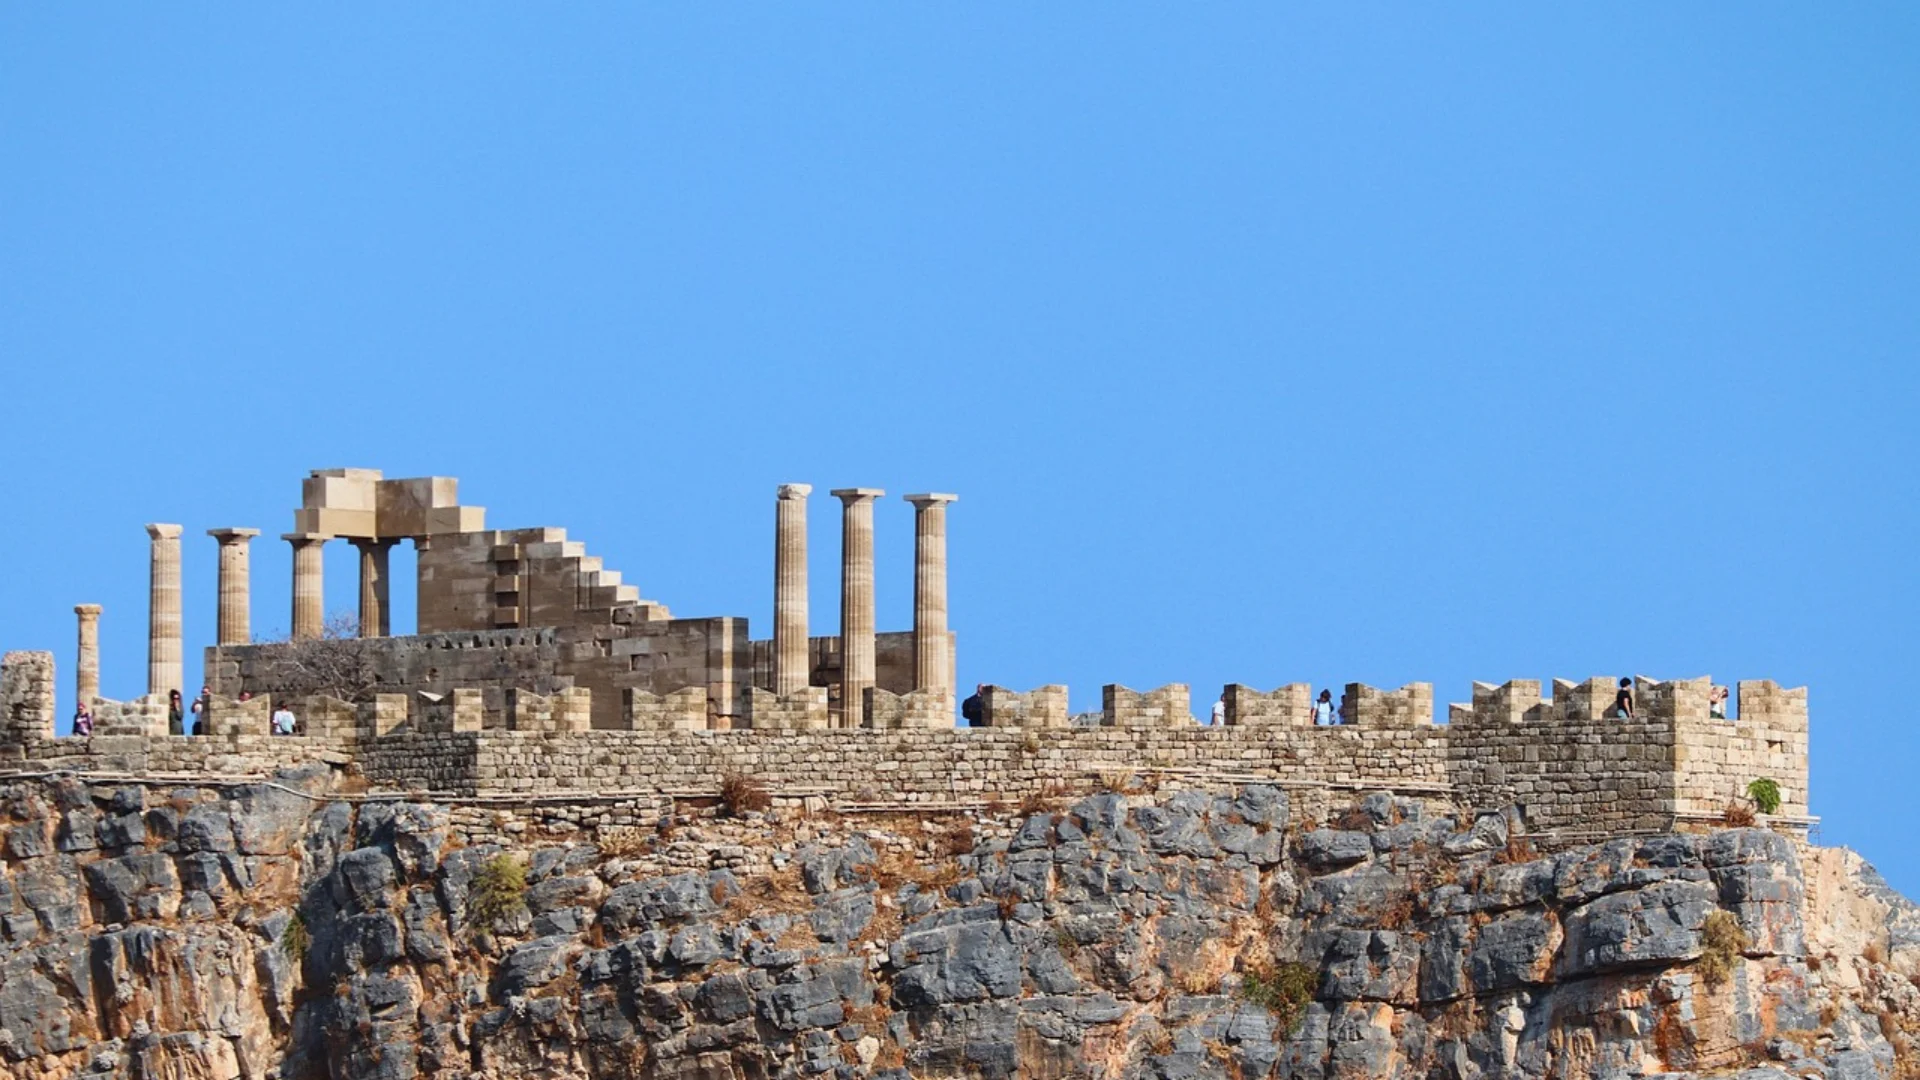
{"x":1262,"y":345}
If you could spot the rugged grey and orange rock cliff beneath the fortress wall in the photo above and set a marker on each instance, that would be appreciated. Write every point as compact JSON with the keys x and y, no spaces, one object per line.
{"x":291,"y":929}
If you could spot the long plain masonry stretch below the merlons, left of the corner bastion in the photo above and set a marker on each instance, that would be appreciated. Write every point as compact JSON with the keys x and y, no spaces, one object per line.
{"x":928,"y":766}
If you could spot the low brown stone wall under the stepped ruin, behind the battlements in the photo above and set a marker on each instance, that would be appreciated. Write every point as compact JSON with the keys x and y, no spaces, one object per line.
{"x":654,"y":656}
